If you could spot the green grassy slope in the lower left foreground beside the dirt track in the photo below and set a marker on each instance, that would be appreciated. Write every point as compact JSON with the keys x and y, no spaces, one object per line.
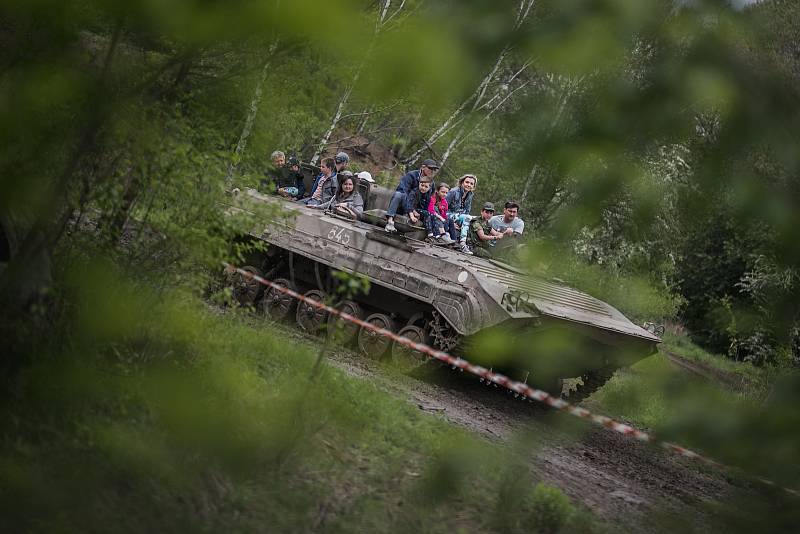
{"x":177,"y":418}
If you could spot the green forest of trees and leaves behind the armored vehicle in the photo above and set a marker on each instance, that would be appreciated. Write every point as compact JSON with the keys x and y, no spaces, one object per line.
{"x":653,"y":146}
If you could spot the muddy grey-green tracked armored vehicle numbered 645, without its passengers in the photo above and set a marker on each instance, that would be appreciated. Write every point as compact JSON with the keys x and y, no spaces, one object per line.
{"x":486,"y":310}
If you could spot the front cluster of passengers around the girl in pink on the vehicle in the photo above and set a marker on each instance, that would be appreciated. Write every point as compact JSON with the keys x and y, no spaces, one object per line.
{"x":445,"y":212}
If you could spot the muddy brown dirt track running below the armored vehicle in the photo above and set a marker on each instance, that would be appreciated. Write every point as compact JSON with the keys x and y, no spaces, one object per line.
{"x":624,"y":482}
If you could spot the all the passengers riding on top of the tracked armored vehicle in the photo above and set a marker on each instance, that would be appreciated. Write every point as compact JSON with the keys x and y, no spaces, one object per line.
{"x":444,"y":211}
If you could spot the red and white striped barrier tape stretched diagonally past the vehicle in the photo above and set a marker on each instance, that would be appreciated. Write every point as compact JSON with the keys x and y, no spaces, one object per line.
{"x":501,"y":380}
